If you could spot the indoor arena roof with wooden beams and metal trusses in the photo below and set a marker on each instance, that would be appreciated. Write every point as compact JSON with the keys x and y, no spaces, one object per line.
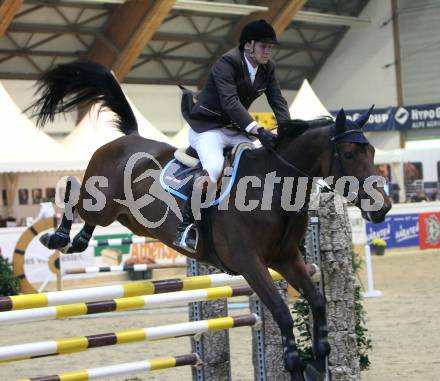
{"x":167,"y":41}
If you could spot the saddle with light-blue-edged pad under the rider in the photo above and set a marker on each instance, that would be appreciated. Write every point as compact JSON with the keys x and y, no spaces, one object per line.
{"x":178,"y":175}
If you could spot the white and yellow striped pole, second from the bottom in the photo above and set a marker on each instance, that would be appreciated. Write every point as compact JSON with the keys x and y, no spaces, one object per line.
{"x":79,"y":344}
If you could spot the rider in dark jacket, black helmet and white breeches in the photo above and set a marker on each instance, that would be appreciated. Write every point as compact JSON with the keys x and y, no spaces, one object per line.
{"x":219,"y":116}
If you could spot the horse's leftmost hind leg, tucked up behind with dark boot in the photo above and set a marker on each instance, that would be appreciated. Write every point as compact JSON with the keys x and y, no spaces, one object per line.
{"x":61,"y":237}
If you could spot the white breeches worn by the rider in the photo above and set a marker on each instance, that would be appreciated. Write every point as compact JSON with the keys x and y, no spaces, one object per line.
{"x":210,"y":144}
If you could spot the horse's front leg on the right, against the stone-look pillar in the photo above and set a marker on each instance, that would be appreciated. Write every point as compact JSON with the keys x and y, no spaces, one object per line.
{"x":294,"y":270}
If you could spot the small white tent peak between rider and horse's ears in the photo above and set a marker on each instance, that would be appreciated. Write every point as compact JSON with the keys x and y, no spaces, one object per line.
{"x":306,"y":104}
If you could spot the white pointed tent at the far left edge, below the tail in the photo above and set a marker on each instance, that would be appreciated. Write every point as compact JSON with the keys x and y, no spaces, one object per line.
{"x":23,"y":148}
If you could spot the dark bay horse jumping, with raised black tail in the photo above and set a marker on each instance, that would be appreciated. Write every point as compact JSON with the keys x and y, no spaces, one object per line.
{"x":245,"y":242}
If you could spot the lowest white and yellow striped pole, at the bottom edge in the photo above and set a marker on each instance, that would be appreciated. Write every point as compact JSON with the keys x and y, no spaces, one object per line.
{"x":125,"y":368}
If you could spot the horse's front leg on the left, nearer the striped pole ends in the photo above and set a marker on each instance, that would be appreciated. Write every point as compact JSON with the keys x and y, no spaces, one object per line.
{"x":258,"y":277}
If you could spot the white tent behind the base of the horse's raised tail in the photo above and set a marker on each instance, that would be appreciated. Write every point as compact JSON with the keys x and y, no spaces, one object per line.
{"x":98,"y":128}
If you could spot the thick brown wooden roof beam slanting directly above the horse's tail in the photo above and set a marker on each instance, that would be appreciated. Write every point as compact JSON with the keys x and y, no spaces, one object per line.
{"x":130,"y":28}
